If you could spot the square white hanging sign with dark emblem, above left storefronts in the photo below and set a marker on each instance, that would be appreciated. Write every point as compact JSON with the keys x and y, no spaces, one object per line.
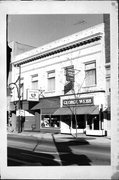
{"x":32,"y":95}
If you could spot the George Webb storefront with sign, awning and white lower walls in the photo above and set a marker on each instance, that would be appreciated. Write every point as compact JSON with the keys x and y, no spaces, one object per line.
{"x":81,"y":115}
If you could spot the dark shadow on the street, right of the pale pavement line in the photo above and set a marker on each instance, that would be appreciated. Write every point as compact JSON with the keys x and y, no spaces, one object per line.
{"x":67,"y":156}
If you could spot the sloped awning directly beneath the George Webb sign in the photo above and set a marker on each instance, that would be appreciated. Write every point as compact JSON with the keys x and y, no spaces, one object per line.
{"x":78,"y":110}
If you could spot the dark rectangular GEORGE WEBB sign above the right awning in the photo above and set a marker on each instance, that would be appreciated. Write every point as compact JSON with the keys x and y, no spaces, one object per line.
{"x":80,"y":101}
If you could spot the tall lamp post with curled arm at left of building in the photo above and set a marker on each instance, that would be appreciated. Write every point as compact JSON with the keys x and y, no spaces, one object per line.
{"x":19,"y":97}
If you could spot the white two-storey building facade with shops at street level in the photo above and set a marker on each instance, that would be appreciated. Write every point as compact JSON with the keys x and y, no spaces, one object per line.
{"x":63,"y":85}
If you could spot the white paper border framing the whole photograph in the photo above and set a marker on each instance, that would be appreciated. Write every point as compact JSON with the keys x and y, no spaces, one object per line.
{"x":58,"y":7}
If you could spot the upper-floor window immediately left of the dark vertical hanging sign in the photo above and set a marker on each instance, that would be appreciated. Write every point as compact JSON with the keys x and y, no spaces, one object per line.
{"x":51,"y":81}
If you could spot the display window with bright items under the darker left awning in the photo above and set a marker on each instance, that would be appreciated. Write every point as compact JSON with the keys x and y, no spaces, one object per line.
{"x":50,"y":121}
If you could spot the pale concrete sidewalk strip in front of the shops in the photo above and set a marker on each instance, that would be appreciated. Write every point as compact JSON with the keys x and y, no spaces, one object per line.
{"x":64,"y":137}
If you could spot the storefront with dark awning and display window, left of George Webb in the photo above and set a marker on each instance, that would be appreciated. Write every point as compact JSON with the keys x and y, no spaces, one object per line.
{"x":48,"y":122}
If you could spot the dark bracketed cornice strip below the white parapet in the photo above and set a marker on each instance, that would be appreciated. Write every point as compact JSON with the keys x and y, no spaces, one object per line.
{"x":59,"y":50}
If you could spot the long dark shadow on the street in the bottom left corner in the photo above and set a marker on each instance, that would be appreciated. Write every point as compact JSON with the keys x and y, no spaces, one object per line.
{"x":20,"y":157}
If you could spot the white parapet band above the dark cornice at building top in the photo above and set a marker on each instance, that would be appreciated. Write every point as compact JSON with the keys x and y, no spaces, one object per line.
{"x":40,"y":50}
